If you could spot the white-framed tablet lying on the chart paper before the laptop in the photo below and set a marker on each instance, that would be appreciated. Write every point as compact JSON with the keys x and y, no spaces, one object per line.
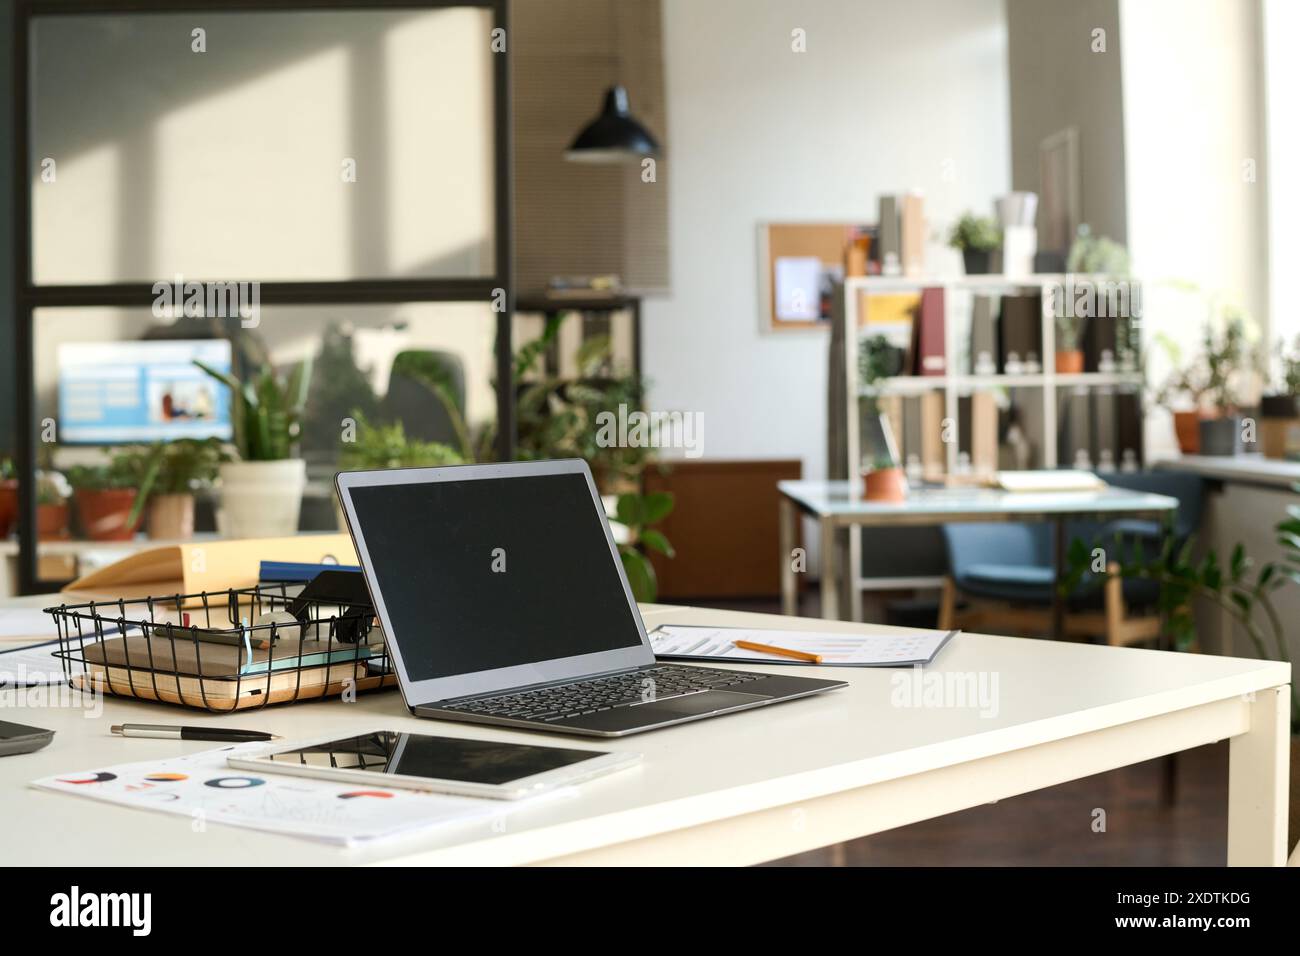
{"x":445,"y":765}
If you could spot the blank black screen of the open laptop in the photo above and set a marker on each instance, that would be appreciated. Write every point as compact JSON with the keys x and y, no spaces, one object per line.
{"x":493,"y":573}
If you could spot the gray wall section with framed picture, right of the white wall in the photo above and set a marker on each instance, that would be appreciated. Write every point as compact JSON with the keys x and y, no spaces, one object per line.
{"x":1058,"y":81}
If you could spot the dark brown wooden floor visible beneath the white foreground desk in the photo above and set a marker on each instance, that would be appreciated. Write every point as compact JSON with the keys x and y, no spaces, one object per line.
{"x":1059,"y":827}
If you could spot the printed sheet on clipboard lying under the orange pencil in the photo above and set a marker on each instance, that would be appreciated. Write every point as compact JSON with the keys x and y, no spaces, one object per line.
{"x":889,"y":648}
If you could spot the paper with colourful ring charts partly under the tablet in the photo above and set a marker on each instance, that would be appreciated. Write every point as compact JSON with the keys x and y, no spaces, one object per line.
{"x":202,"y":786}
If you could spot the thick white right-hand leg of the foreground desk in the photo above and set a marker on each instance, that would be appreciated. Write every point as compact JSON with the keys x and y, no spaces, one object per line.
{"x":1258,"y":777}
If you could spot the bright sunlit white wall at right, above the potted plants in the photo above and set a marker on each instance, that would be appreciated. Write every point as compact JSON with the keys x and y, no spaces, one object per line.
{"x":1194,"y":118}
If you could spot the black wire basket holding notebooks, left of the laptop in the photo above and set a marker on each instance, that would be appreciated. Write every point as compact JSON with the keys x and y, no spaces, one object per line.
{"x":223,"y":651}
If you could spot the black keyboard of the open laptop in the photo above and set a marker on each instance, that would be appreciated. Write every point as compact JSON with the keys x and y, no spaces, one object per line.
{"x":604,"y":694}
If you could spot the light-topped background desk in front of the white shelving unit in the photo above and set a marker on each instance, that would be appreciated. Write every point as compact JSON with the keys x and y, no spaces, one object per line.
{"x":839,"y":505}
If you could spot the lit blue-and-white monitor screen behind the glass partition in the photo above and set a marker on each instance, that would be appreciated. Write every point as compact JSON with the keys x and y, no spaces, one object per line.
{"x":115,"y":393}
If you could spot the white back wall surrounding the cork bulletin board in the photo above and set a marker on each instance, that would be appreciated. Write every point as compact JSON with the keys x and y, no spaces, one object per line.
{"x":887,"y":98}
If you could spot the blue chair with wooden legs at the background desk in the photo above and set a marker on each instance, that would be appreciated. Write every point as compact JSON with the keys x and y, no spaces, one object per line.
{"x":1006,"y":577}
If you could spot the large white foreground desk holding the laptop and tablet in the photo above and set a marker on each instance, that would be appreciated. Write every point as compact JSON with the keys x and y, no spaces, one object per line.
{"x":742,"y":789}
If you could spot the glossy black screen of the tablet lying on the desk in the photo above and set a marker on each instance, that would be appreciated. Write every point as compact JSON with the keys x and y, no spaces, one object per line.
{"x":440,"y":759}
